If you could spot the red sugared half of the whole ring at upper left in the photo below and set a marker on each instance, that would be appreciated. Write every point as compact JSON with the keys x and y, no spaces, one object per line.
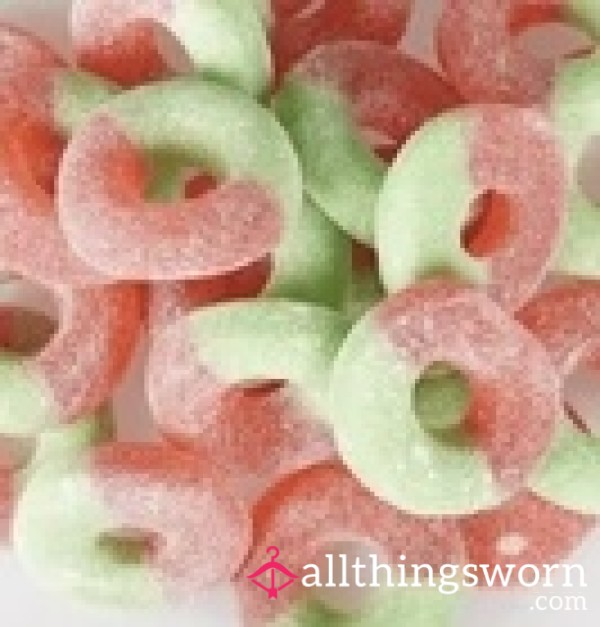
{"x":135,"y":241}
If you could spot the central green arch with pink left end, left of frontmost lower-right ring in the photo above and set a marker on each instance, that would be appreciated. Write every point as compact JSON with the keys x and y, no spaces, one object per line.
{"x":197,"y":358}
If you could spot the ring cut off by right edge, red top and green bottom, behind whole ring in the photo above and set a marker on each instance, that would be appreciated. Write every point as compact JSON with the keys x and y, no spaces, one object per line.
{"x":566,"y":320}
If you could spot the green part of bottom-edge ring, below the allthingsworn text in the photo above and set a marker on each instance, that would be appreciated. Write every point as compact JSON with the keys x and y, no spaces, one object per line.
{"x":416,"y":607}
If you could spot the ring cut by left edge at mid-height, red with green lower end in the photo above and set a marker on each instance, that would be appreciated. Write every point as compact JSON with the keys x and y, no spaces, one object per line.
{"x":75,"y":372}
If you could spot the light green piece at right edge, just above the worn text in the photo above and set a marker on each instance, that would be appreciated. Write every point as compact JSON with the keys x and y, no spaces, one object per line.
{"x":569,"y":474}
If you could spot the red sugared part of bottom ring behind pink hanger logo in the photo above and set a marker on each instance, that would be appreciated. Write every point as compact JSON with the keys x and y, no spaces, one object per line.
{"x":326,"y":504}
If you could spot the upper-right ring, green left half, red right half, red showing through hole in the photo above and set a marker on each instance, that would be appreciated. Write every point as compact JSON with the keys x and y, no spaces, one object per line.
{"x":426,"y":202}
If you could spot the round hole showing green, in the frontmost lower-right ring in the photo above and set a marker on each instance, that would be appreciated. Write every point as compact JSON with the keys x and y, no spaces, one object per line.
{"x":441,"y":399}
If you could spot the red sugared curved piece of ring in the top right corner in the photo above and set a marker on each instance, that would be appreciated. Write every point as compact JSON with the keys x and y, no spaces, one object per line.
{"x":482,"y":57}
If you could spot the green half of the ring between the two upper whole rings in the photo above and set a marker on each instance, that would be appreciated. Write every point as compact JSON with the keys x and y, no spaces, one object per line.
{"x":341,"y":173}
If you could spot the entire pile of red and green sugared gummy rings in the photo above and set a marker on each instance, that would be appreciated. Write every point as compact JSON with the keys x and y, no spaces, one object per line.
{"x":360,"y":287}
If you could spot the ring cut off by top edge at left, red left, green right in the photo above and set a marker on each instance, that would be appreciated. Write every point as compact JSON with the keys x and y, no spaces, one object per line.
{"x":224,"y":39}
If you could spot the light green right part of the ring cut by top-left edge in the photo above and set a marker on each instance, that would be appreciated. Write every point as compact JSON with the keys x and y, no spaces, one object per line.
{"x":226,"y":40}
